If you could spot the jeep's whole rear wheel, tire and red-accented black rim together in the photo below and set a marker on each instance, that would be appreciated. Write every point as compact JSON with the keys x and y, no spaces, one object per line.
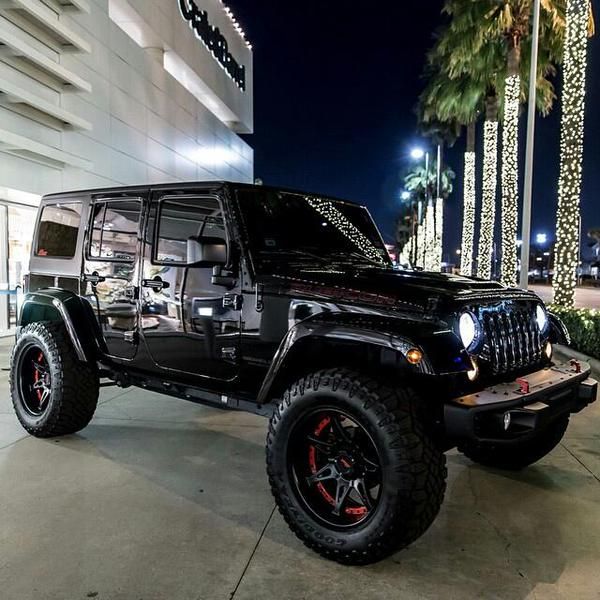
{"x":53,"y":393}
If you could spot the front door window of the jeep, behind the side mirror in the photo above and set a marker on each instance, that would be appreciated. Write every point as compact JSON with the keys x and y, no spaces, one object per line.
{"x":184,"y":218}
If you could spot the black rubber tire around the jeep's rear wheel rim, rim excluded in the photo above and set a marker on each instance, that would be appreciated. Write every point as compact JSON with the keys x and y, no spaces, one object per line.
{"x":74,"y":385}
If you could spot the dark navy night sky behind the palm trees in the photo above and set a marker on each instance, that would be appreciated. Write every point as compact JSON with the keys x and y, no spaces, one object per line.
{"x":335,"y":89}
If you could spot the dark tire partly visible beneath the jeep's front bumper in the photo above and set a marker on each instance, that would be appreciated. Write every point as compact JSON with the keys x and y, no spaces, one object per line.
{"x":521,"y":455}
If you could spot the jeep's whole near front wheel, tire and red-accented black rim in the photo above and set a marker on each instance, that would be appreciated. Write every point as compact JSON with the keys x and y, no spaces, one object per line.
{"x":352,"y":470}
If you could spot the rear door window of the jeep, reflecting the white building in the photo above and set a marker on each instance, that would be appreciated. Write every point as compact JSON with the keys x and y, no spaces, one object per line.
{"x":115,"y":229}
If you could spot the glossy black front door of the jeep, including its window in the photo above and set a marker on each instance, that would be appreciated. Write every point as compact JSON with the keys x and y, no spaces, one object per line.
{"x":190,"y":314}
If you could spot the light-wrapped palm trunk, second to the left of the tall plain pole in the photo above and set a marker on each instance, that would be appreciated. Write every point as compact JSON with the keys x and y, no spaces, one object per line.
{"x":490,"y":186}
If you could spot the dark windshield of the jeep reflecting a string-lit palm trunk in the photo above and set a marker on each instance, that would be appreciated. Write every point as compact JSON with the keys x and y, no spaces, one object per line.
{"x":287,"y":231}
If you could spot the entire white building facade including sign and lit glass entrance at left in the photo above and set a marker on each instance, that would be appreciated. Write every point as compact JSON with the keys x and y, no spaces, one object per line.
{"x":98,"y":93}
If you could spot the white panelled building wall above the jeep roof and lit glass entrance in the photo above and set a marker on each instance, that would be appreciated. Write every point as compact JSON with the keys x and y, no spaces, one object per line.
{"x":136,"y":124}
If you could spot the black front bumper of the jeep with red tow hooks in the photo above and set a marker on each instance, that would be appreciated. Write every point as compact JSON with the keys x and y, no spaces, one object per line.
{"x":513,"y":411}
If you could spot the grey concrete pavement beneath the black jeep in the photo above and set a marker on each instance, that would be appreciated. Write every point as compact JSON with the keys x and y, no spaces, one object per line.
{"x":161,"y":499}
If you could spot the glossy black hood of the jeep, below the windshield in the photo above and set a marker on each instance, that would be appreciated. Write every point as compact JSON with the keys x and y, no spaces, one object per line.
{"x":417,"y":291}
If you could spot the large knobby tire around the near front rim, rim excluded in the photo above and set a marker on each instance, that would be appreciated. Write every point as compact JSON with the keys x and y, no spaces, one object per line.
{"x":414,"y":468}
